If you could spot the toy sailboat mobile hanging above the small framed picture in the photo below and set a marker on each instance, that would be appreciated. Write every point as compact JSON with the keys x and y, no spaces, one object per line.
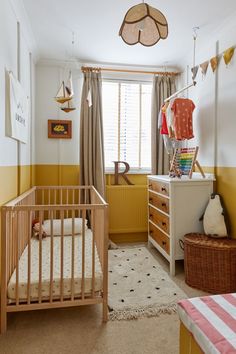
{"x":65,"y":95}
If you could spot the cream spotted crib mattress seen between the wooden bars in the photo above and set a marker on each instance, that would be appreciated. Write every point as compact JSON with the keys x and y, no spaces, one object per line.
{"x":67,"y":268}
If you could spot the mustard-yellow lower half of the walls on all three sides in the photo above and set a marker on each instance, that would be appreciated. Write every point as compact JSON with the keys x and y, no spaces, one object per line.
{"x":127,"y":204}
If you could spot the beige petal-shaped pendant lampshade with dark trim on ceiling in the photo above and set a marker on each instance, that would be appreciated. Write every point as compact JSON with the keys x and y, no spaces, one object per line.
{"x":143,"y":24}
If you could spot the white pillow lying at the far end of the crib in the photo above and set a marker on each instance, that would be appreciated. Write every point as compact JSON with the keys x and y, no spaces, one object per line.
{"x":67,"y":226}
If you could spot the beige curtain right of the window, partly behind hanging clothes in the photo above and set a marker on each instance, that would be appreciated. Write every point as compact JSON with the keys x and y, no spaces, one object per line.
{"x":163,"y":87}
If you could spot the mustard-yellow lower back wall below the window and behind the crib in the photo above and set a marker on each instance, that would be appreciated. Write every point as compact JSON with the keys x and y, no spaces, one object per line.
{"x":127,"y":204}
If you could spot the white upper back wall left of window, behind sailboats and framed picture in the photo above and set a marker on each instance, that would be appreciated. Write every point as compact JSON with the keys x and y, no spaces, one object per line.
{"x":48,"y":79}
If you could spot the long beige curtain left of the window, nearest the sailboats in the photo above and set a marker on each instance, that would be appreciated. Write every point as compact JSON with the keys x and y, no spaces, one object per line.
{"x":91,"y":133}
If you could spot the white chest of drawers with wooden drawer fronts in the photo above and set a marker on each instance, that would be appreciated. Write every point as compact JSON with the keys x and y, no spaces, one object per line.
{"x":175,"y":206}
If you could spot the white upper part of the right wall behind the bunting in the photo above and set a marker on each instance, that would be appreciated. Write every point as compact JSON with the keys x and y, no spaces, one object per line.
{"x":215,"y":99}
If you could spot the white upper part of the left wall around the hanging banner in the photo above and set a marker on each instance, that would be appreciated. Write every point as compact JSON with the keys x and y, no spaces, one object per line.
{"x":11,"y":13}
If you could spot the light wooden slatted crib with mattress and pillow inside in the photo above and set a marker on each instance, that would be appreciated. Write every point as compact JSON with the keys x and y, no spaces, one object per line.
{"x":66,"y":268}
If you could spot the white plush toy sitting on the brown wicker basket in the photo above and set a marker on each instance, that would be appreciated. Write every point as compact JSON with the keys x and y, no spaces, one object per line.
{"x":214,"y":218}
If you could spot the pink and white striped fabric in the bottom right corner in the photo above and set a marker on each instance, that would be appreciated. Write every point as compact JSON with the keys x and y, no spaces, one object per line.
{"x":212,"y":321}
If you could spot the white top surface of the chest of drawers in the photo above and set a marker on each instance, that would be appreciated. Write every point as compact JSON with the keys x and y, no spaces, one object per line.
{"x":196,"y":177}
